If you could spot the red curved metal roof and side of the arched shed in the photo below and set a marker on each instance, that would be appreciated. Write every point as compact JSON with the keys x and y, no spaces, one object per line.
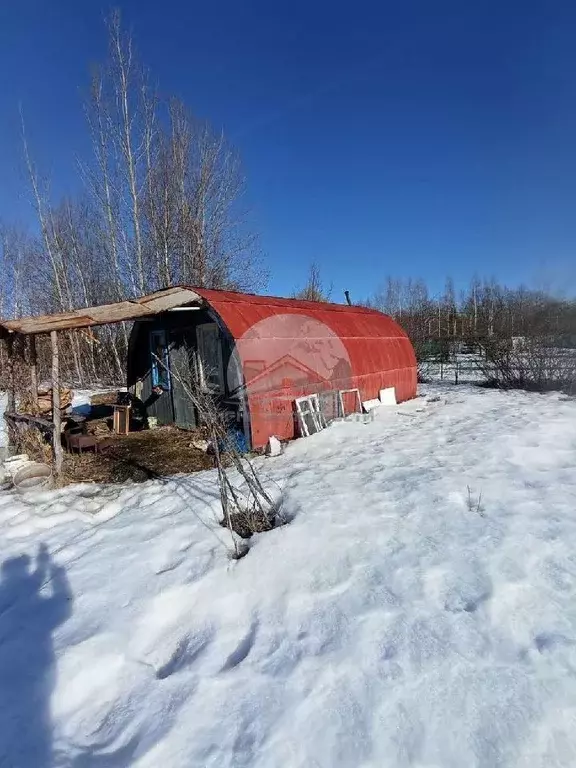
{"x":320,"y":346}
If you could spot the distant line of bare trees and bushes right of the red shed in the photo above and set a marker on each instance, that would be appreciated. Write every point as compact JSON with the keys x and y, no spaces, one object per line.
{"x":524,"y":337}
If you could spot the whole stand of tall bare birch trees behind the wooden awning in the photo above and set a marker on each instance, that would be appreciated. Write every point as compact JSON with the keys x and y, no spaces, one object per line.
{"x":164,"y":205}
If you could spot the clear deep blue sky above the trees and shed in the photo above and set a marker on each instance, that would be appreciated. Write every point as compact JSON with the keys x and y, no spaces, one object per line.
{"x":412,"y":138}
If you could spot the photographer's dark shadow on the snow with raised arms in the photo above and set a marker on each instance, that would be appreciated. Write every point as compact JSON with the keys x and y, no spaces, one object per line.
{"x":35,"y":599}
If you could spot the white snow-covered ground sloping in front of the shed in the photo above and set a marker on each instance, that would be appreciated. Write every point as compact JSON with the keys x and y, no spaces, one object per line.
{"x":418,"y":610}
